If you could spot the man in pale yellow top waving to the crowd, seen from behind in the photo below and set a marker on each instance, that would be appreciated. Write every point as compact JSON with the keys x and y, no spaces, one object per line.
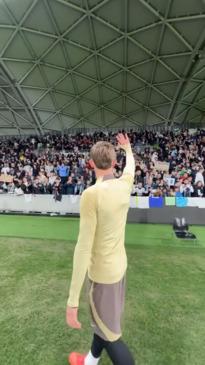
{"x":100,"y":252}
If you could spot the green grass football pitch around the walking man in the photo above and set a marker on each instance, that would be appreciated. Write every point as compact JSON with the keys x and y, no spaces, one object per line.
{"x":164,"y":321}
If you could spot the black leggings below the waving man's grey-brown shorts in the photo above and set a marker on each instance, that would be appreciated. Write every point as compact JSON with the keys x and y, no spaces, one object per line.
{"x":117,"y":351}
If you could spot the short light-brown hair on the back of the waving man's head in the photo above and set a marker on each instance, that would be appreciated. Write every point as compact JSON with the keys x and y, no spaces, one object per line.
{"x":103,"y":154}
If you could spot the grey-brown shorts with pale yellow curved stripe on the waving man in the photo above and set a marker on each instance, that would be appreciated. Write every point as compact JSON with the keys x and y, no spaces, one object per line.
{"x":107,"y":305}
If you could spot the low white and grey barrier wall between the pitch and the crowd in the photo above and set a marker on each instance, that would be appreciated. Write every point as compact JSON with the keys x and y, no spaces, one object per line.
{"x":139,"y":212}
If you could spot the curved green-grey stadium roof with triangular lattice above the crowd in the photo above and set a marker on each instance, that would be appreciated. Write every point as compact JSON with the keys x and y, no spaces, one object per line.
{"x":101,"y":63}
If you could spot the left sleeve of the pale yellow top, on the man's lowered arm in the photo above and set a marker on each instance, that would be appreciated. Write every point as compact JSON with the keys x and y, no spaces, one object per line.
{"x":84,"y":245}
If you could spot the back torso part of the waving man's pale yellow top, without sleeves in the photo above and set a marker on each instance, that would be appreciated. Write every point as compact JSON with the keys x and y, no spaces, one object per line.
{"x":108,"y":259}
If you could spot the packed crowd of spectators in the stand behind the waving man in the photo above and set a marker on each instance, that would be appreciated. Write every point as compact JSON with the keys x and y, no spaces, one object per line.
{"x":167,"y":163}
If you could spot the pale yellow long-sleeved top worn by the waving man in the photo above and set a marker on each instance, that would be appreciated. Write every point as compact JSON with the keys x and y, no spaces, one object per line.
{"x":100,"y":249}
